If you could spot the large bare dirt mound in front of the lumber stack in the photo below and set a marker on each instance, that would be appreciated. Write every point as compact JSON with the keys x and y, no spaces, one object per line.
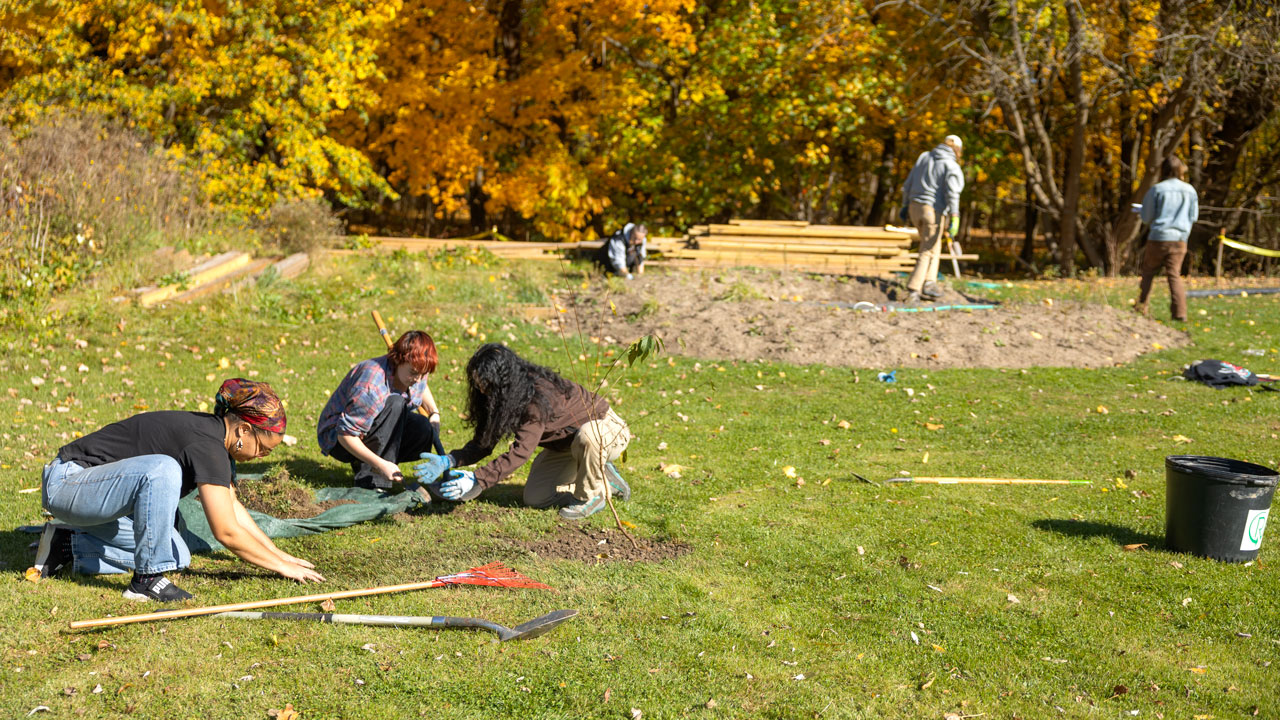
{"x":746,"y":315}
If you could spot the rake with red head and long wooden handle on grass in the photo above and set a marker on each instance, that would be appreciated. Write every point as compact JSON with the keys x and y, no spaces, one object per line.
{"x":493,"y":575}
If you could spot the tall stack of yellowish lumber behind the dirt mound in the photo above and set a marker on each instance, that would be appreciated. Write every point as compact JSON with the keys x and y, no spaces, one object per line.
{"x":798,"y":245}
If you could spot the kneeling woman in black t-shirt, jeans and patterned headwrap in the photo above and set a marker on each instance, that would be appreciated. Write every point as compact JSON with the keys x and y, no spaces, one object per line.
{"x":117,"y":493}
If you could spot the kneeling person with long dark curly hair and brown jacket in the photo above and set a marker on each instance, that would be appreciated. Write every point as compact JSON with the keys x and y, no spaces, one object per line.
{"x":580,"y":436}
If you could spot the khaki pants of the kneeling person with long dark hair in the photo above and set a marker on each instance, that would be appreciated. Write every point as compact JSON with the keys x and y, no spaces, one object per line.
{"x":560,"y":479}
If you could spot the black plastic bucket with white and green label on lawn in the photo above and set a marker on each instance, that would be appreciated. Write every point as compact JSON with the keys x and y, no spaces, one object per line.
{"x":1217,"y":508}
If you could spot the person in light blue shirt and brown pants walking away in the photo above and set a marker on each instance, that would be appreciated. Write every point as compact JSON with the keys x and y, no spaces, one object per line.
{"x":1171,"y":208}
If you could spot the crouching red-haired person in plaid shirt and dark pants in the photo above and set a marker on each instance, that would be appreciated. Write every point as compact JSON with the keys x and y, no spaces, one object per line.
{"x":371,"y":421}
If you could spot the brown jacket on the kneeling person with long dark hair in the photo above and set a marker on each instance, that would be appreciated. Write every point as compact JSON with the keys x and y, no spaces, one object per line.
{"x":557,"y":432}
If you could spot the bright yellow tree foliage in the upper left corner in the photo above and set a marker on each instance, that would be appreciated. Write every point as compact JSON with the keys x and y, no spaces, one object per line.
{"x":243,"y":92}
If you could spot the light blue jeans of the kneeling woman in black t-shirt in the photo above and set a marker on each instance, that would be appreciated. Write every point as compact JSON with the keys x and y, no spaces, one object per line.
{"x":124,"y":514}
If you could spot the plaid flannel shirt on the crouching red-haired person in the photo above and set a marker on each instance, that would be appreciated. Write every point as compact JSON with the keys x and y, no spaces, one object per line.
{"x":358,"y":402}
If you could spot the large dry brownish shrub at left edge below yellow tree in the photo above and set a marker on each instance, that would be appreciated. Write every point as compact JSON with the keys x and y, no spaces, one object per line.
{"x":77,"y":193}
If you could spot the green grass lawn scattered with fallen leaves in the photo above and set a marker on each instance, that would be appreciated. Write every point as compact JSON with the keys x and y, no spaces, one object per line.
{"x":830,"y":599}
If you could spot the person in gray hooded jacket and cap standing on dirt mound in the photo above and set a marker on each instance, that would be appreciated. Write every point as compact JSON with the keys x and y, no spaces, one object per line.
{"x":931,"y":199}
